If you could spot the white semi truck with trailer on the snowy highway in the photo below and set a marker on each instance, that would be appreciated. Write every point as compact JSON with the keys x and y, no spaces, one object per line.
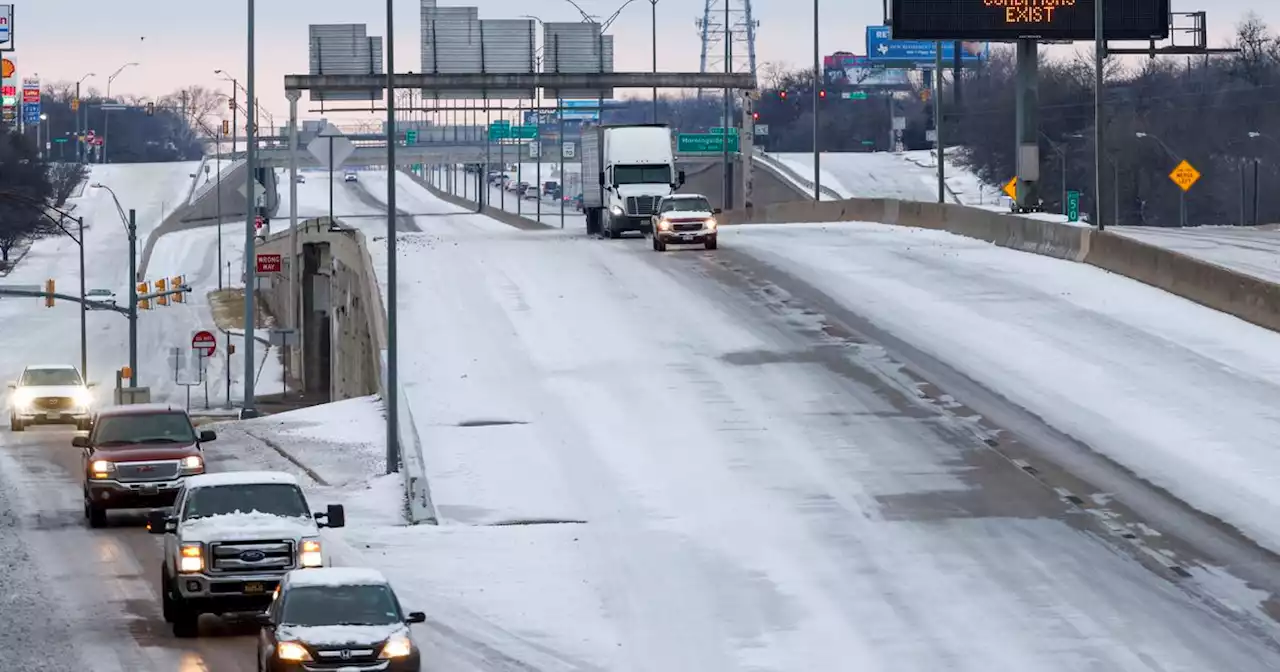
{"x":627,"y":171}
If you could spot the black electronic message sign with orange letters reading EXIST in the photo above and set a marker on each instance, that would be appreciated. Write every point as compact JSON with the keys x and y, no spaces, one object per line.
{"x":1017,"y":20}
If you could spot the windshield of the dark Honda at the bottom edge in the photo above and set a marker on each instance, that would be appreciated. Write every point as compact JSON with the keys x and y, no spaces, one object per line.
{"x":340,"y":606}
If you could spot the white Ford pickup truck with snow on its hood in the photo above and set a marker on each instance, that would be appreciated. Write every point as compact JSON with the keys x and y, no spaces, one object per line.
{"x":230,"y":541}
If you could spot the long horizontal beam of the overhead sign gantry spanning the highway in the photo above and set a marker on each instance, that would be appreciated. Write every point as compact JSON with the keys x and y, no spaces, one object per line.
{"x":524,"y":81}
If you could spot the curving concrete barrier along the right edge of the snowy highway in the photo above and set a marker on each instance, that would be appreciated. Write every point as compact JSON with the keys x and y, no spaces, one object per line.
{"x":1209,"y":285}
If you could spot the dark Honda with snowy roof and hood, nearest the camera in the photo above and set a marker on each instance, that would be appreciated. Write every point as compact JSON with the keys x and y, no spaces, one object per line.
{"x":337,"y":619}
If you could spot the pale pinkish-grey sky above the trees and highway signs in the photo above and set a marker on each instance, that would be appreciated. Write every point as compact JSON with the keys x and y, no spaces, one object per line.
{"x":179,"y":44}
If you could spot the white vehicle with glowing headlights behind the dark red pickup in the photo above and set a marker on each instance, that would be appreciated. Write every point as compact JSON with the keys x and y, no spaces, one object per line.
{"x":51,"y":395}
